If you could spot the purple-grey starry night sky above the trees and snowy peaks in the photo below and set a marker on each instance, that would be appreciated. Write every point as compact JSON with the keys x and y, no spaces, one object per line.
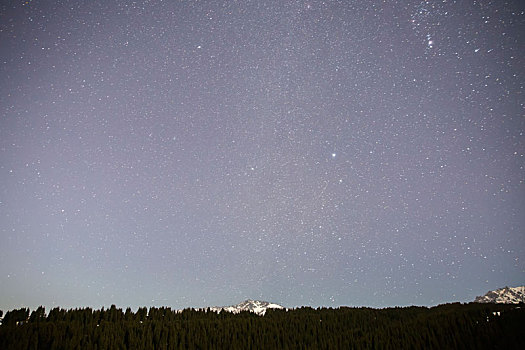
{"x":198,"y":153}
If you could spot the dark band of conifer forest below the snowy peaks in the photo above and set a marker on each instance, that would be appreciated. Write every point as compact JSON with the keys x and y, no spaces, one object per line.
{"x":448,"y":326}
